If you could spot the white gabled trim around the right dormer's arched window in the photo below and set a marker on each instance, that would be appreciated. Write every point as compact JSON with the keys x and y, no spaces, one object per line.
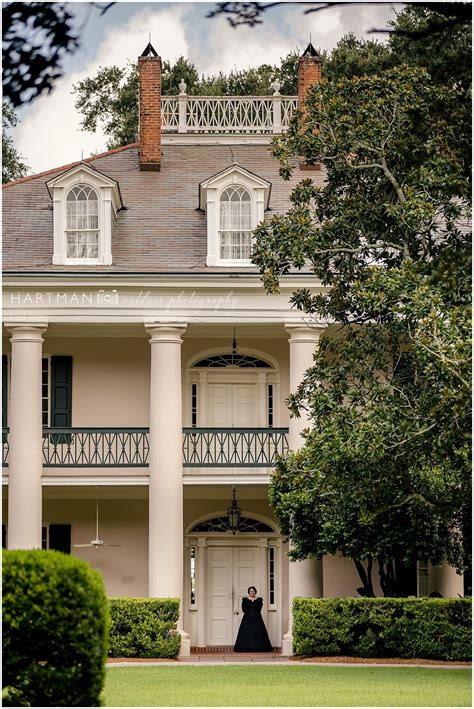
{"x":210,"y":193}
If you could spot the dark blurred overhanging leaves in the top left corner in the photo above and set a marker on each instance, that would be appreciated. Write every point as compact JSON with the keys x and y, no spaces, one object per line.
{"x":36,"y":38}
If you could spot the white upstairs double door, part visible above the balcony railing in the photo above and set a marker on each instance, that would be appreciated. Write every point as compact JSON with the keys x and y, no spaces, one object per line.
{"x":232,"y":405}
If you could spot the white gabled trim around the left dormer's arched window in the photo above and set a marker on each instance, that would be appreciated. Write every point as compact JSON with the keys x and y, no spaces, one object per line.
{"x":109,"y":203}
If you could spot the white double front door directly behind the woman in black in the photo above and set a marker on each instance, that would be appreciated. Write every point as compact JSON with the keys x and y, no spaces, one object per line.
{"x":231,"y":570}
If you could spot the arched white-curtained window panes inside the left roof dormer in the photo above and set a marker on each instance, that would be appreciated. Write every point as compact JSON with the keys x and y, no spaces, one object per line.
{"x":82,"y":225}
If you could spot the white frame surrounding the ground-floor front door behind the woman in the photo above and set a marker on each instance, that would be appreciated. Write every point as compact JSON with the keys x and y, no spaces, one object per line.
{"x":196,"y":615}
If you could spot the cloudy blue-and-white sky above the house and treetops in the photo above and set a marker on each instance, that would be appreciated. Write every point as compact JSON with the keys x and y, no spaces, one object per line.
{"x":49,"y":133}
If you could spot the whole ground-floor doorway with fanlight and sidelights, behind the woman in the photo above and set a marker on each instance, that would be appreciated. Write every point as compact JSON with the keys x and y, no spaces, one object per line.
{"x":219,"y":568}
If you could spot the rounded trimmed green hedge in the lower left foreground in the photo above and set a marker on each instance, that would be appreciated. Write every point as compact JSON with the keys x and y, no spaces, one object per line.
{"x":55,"y":629}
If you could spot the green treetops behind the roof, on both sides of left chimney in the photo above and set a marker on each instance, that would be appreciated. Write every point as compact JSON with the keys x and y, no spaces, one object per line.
{"x":110,"y":98}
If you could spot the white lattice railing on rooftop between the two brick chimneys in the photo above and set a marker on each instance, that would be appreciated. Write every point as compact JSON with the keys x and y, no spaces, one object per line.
{"x":227,"y":114}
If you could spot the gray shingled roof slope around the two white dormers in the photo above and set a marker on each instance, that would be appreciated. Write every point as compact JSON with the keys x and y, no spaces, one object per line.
{"x":161,"y":229}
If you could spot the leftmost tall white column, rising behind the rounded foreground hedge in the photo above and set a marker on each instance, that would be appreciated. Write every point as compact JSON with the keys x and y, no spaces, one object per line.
{"x":26,"y":441}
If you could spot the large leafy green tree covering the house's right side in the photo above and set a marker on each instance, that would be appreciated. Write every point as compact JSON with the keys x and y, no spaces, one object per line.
{"x":384,"y":472}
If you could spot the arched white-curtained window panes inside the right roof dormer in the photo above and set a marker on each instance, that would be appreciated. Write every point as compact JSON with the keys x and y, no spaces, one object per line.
{"x":235,"y":224}
